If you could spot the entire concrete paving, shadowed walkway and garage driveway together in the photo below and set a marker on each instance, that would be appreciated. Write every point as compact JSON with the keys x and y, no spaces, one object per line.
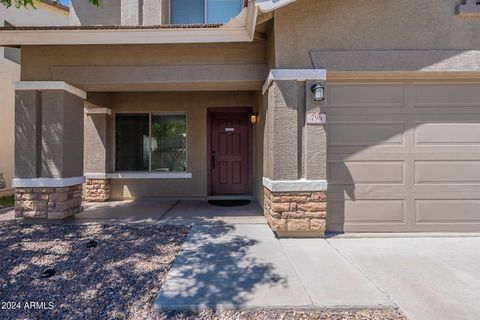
{"x":245,"y":266}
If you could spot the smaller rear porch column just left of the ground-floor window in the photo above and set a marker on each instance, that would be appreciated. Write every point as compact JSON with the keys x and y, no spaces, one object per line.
{"x":97,"y":156}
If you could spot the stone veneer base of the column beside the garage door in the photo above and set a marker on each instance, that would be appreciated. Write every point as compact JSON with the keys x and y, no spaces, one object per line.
{"x":296,"y":214}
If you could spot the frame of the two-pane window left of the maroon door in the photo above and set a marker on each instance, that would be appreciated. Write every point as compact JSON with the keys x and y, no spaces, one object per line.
{"x":149,"y":172}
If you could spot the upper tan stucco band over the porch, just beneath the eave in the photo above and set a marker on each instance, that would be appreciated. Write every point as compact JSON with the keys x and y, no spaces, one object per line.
{"x":38,"y":60}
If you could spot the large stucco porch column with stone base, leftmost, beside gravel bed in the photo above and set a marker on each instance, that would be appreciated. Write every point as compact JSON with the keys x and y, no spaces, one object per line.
{"x":48,"y":149}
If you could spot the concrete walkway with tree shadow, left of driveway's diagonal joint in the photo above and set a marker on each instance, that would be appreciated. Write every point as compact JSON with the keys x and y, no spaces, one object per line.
{"x":245,"y":266}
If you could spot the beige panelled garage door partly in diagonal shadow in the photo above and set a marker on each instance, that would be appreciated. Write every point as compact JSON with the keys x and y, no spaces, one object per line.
{"x":404,"y":156}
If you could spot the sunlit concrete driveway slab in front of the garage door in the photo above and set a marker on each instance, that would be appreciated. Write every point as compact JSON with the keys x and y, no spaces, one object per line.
{"x":428,"y":278}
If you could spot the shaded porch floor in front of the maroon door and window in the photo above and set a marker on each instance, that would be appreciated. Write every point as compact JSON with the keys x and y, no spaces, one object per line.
{"x":169,"y":211}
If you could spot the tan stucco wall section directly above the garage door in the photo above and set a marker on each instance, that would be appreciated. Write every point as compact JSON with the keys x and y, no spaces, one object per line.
{"x":309,"y":25}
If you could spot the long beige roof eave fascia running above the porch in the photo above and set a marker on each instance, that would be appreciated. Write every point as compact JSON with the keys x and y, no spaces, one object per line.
{"x":240,"y":29}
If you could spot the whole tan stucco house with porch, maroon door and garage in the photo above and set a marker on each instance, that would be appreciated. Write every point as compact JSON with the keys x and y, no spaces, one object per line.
{"x":341,"y":116}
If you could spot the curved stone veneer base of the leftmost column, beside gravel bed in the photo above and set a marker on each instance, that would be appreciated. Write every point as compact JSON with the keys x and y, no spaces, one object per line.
{"x":48,"y":203}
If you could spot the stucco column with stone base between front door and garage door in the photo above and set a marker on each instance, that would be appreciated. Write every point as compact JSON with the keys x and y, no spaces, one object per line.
{"x":295,"y":185}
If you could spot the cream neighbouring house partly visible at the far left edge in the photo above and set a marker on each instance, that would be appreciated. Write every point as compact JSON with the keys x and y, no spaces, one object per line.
{"x":46,"y":13}
